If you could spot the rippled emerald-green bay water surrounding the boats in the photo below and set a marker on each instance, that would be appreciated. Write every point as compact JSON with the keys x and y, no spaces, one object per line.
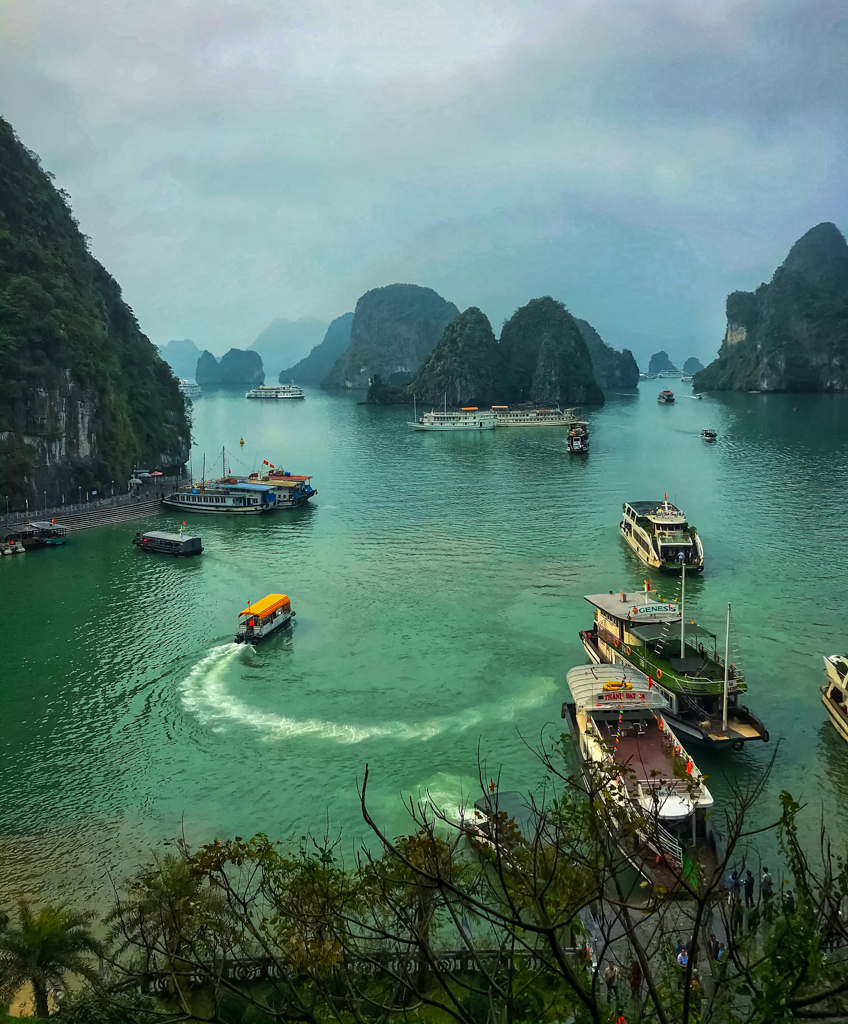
{"x":439,"y":585}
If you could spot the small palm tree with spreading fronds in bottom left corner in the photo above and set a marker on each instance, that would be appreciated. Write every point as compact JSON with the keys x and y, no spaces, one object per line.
{"x":43,"y":948}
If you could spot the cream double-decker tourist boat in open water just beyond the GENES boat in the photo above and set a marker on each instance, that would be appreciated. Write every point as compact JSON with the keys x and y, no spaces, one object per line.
{"x":660,"y":535}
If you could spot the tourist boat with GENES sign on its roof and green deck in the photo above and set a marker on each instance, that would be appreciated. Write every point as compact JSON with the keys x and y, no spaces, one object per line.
{"x":683,"y":661}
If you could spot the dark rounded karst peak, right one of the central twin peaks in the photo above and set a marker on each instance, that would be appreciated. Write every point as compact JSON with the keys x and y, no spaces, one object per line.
{"x":546,"y":361}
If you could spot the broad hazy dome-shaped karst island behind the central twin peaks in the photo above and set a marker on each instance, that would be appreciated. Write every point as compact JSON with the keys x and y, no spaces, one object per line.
{"x":395,"y":329}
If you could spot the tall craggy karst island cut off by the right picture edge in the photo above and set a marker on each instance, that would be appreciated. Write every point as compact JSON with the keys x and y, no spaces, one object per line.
{"x":792,"y":334}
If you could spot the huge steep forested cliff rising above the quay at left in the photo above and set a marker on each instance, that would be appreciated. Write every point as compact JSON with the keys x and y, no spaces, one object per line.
{"x":84,"y":395}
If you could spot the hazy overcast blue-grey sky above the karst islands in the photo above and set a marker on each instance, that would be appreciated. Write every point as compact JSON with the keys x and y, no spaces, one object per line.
{"x":234,"y":161}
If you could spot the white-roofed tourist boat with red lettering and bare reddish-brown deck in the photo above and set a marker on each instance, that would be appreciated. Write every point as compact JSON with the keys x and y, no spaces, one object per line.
{"x":647,"y":788}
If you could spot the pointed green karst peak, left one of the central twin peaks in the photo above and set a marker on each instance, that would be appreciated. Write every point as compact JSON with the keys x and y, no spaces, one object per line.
{"x":465,"y":365}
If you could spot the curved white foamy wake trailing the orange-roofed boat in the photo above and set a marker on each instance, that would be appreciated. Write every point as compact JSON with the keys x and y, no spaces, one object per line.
{"x":205,"y":694}
